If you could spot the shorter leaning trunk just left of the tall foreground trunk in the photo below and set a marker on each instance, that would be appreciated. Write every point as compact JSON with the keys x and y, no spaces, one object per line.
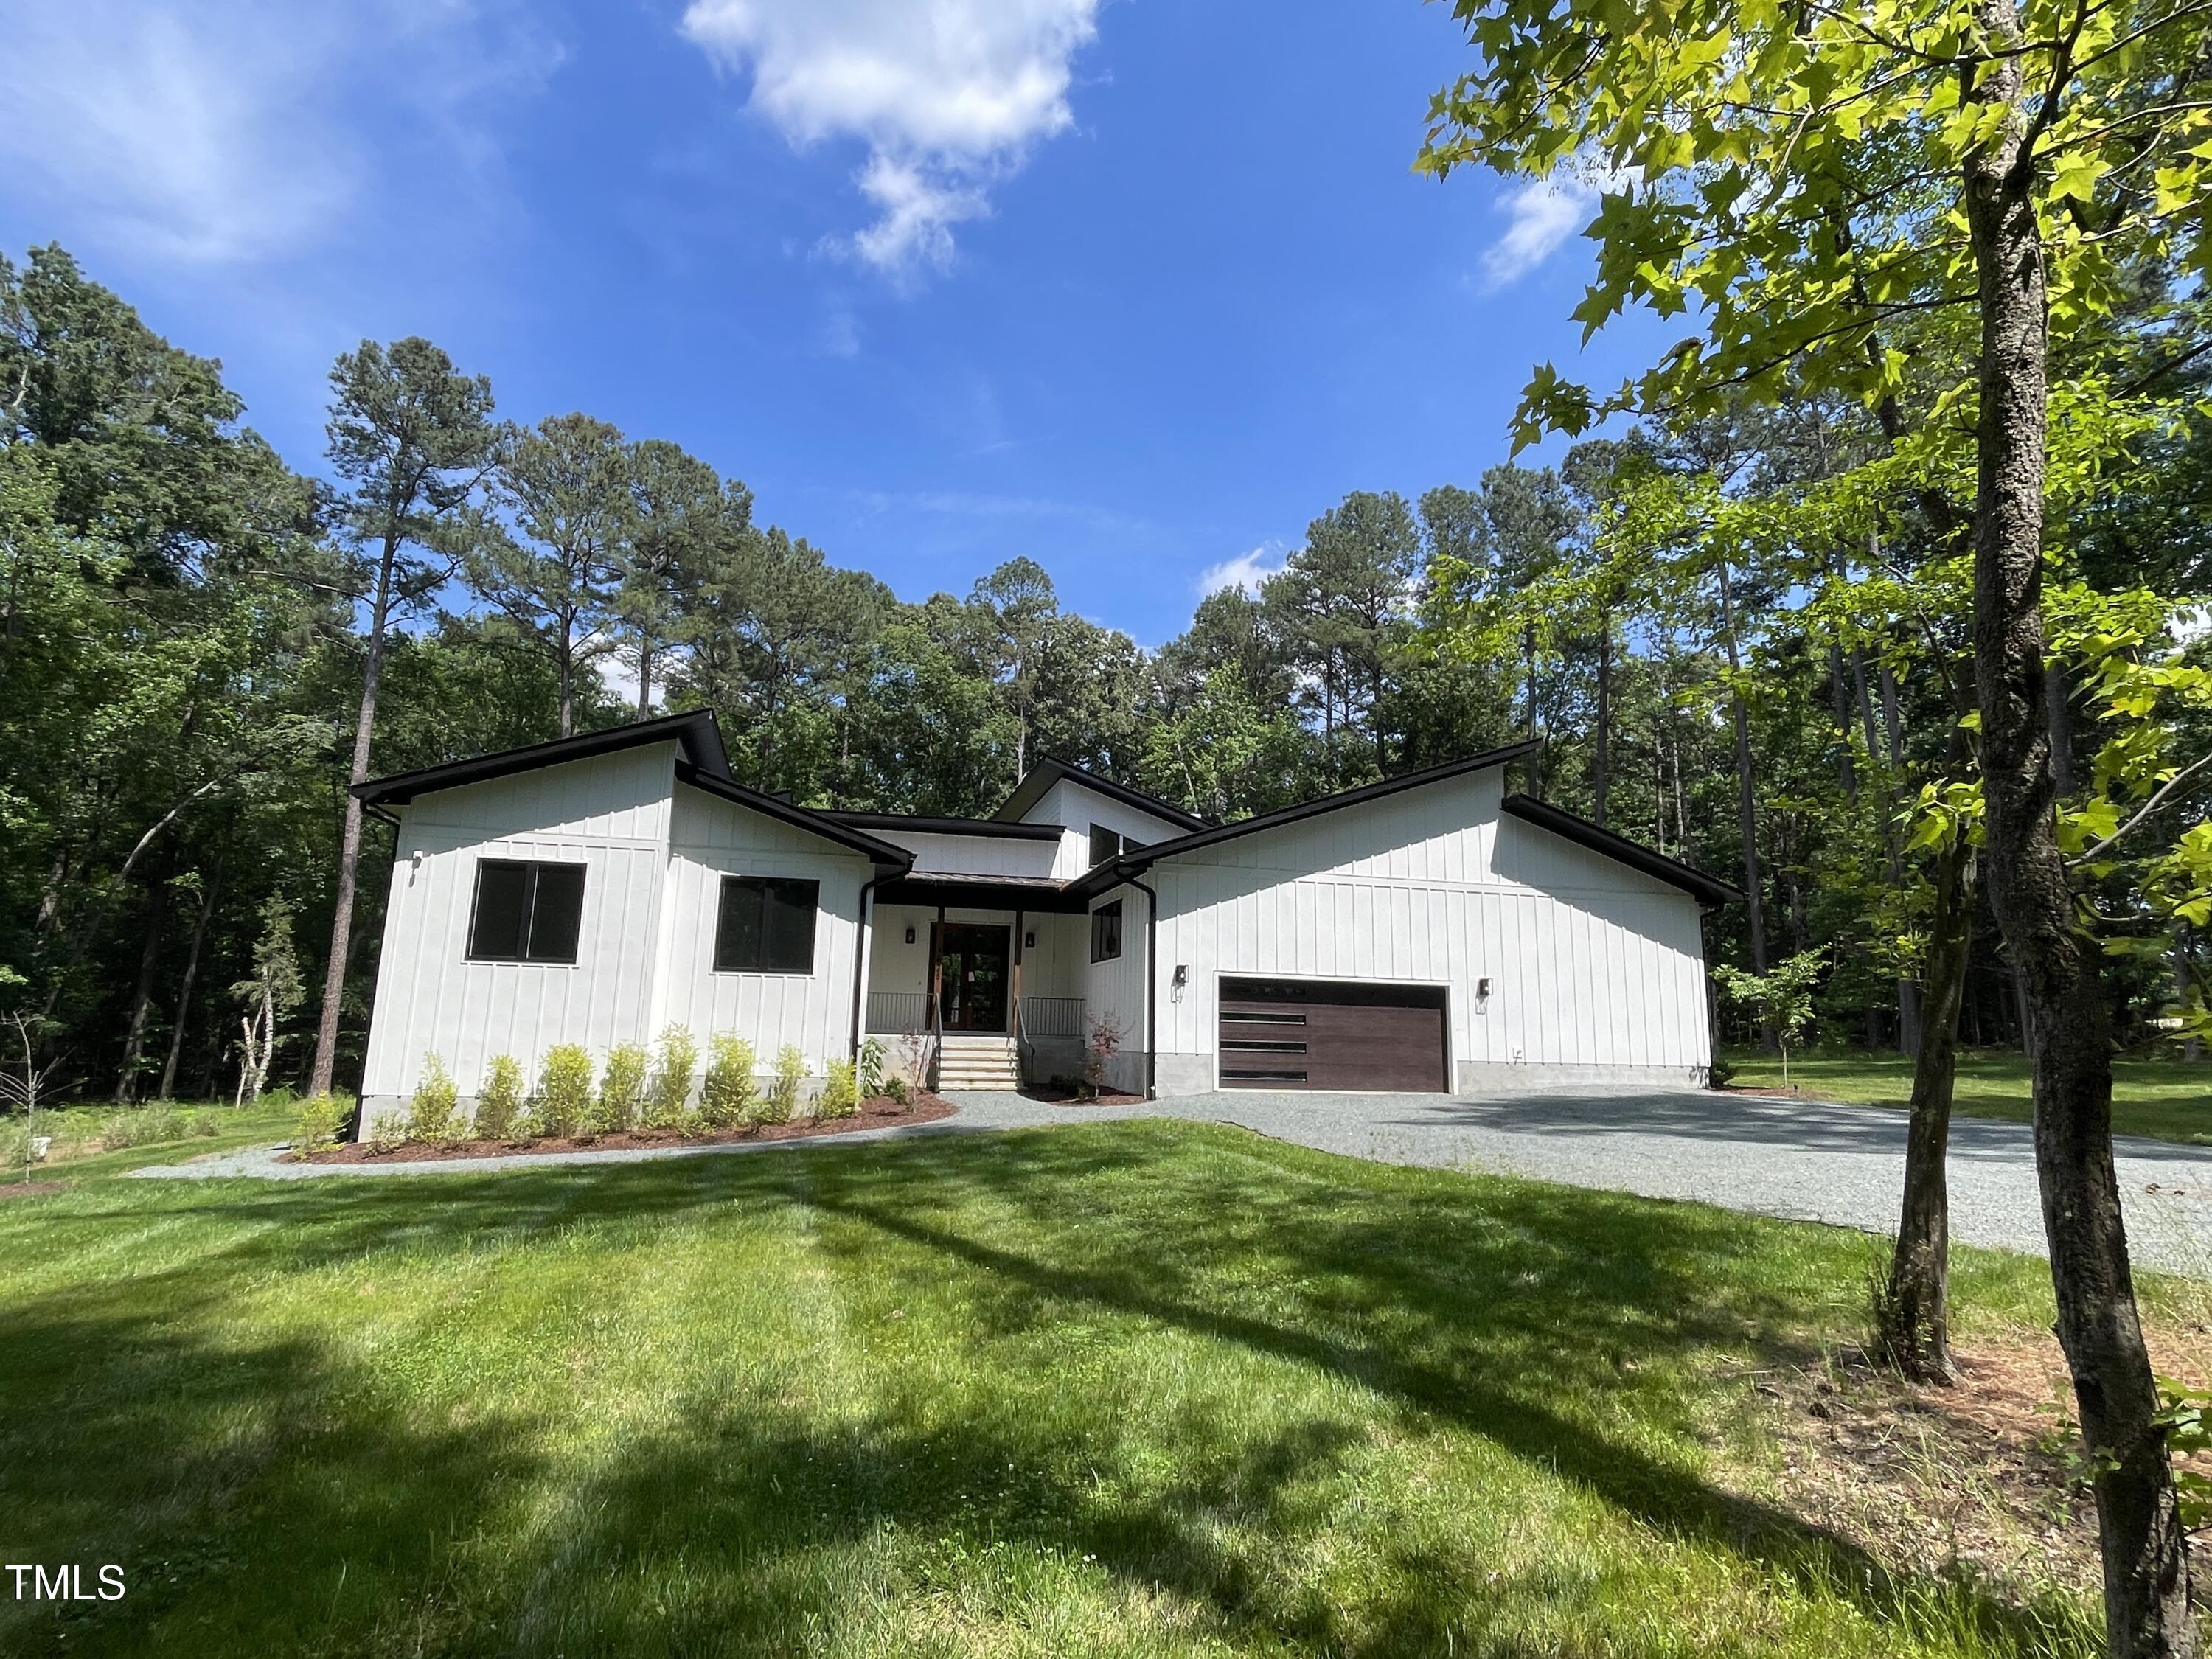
{"x":1914,"y":1315}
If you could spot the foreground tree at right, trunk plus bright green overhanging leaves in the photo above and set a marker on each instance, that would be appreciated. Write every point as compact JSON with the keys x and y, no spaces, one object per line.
{"x":1817,"y":180}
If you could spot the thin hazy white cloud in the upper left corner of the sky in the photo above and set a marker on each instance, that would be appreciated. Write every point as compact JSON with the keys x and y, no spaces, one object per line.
{"x":227,"y":132}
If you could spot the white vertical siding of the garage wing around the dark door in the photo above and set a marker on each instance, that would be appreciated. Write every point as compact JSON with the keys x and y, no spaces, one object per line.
{"x":1596,"y":970}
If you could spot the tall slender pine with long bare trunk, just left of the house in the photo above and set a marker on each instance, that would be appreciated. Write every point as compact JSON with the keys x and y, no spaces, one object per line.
{"x":410,"y":437}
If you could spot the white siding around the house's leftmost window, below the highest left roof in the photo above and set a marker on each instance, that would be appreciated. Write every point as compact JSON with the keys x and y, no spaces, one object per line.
{"x":609,"y":815}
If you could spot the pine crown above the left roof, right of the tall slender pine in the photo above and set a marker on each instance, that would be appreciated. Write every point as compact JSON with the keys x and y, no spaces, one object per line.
{"x":567,"y":492}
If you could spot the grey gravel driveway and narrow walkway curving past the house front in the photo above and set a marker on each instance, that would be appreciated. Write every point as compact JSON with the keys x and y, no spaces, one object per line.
{"x":1799,"y":1160}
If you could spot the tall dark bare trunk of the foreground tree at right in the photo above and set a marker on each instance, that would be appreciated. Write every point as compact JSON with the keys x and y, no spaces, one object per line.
{"x":2147,"y":1580}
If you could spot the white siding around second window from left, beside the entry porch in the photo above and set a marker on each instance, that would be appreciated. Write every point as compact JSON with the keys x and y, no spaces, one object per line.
{"x":813,"y":1012}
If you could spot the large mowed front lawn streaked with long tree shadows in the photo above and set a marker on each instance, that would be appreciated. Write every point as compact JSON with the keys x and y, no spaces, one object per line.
{"x":1098,"y":1390}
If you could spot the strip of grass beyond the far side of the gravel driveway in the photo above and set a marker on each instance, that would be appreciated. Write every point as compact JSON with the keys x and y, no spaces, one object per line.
{"x":2167,"y":1100}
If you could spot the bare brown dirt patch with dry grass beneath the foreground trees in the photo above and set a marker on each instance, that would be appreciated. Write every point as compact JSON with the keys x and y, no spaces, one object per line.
{"x":1981,"y":1479}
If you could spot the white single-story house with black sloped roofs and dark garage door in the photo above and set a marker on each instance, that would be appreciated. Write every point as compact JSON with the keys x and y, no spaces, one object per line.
{"x":1421,"y":935}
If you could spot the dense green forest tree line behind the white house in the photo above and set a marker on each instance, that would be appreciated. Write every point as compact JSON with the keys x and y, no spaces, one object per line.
{"x":202,"y":647}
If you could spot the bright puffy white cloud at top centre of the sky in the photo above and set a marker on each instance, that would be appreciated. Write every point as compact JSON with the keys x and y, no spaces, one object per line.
{"x":948,"y":96}
